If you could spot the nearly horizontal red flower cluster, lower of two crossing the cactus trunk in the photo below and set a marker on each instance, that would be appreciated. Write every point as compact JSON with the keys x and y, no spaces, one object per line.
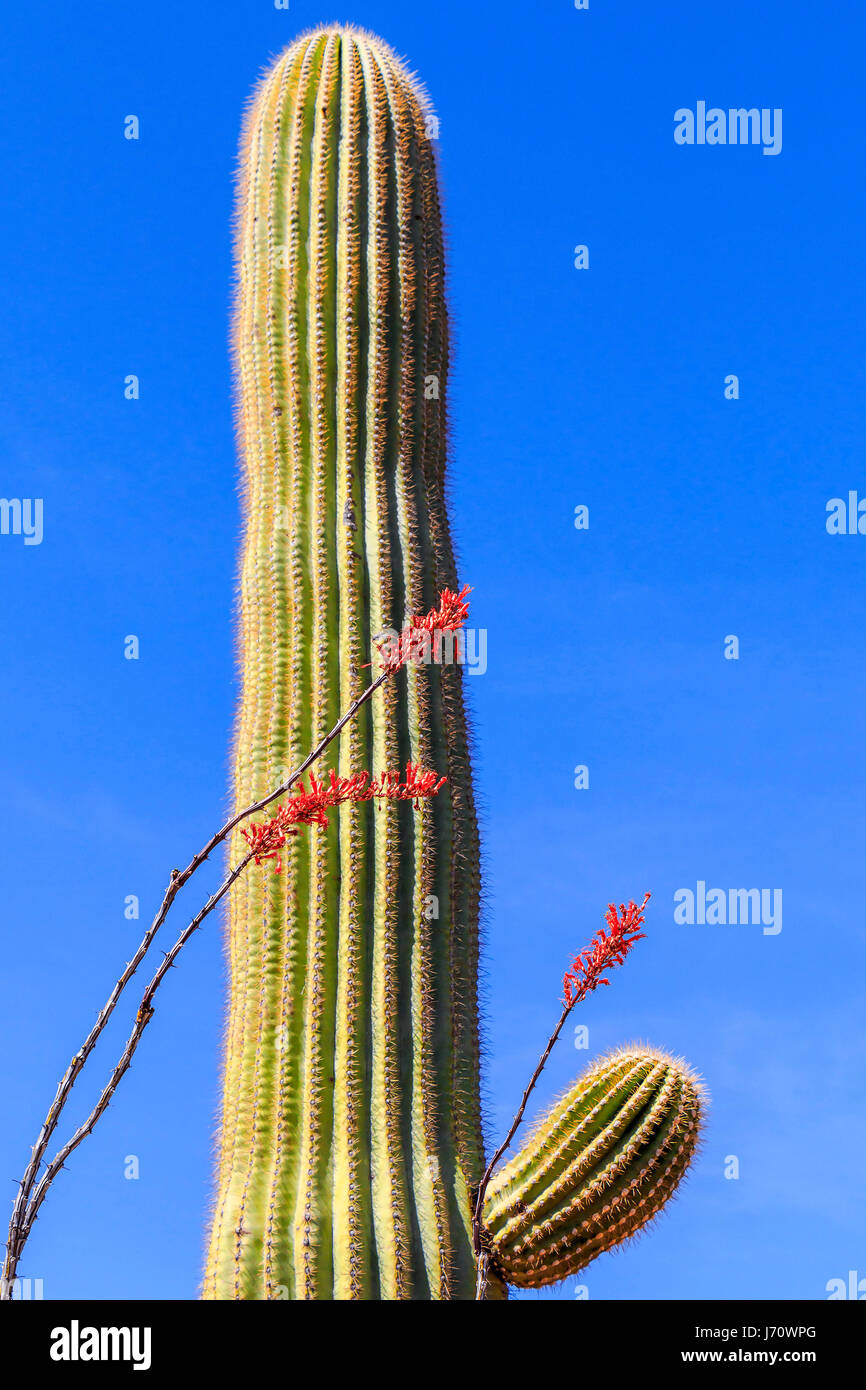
{"x":311,"y":808}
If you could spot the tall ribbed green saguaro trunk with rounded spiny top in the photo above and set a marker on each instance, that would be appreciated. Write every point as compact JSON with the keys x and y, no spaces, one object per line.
{"x":351,"y":1138}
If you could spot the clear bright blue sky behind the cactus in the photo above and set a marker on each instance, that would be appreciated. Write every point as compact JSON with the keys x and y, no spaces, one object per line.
{"x":601,"y":387}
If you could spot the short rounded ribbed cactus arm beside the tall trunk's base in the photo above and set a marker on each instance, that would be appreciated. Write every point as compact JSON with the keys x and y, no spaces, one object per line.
{"x":601,"y":1164}
